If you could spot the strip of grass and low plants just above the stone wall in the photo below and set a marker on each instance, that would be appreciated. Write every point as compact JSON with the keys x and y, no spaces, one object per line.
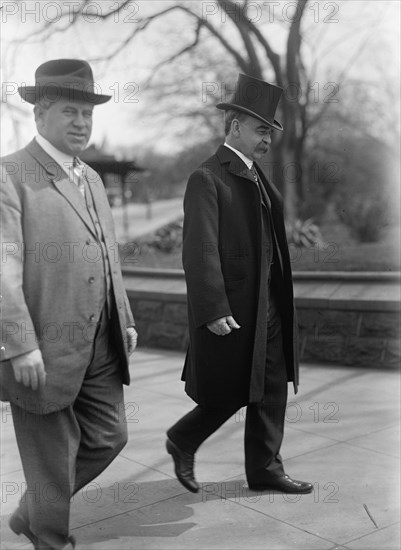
{"x":339,"y":253}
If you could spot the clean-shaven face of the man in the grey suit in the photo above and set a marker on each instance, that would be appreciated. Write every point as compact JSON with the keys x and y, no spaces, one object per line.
{"x":66,"y":124}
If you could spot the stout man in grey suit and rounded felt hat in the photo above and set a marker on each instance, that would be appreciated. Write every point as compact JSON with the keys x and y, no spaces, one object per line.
{"x":67,"y":328}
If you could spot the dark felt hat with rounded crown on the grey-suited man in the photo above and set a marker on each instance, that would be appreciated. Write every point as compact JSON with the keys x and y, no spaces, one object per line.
{"x":63,"y":78}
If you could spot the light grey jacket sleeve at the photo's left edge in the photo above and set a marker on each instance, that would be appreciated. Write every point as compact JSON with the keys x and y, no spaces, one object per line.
{"x":15,"y":318}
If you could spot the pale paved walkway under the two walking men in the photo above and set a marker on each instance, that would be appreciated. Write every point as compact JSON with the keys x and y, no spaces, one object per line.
{"x":342,"y":434}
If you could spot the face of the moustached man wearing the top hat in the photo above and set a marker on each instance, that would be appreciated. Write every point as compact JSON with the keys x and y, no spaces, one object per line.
{"x":253,"y":137}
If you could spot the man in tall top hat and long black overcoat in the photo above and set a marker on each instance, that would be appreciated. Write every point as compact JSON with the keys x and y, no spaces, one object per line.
{"x":242,"y":325}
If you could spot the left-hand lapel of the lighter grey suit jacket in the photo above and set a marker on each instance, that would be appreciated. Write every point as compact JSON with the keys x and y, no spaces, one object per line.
{"x":60,"y":180}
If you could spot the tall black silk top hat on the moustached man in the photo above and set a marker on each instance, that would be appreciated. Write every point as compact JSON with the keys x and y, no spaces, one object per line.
{"x":256,"y":98}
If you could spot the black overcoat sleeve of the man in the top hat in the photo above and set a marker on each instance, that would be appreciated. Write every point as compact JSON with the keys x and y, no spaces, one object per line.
{"x":207,"y":297}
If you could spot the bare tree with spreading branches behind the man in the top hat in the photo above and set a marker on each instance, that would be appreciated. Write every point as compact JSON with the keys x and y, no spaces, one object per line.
{"x":246,"y":38}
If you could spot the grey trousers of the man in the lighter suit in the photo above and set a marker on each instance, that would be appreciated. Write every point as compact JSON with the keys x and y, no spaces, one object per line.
{"x":63,"y":451}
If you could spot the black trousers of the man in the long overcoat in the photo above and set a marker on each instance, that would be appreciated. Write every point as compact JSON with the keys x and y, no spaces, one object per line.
{"x":264,"y":424}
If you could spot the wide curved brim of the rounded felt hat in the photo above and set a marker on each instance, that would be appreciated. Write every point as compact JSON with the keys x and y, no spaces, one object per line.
{"x":32,"y":94}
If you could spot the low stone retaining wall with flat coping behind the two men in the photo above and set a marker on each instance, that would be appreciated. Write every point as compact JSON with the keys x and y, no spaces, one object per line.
{"x":358,"y":331}
